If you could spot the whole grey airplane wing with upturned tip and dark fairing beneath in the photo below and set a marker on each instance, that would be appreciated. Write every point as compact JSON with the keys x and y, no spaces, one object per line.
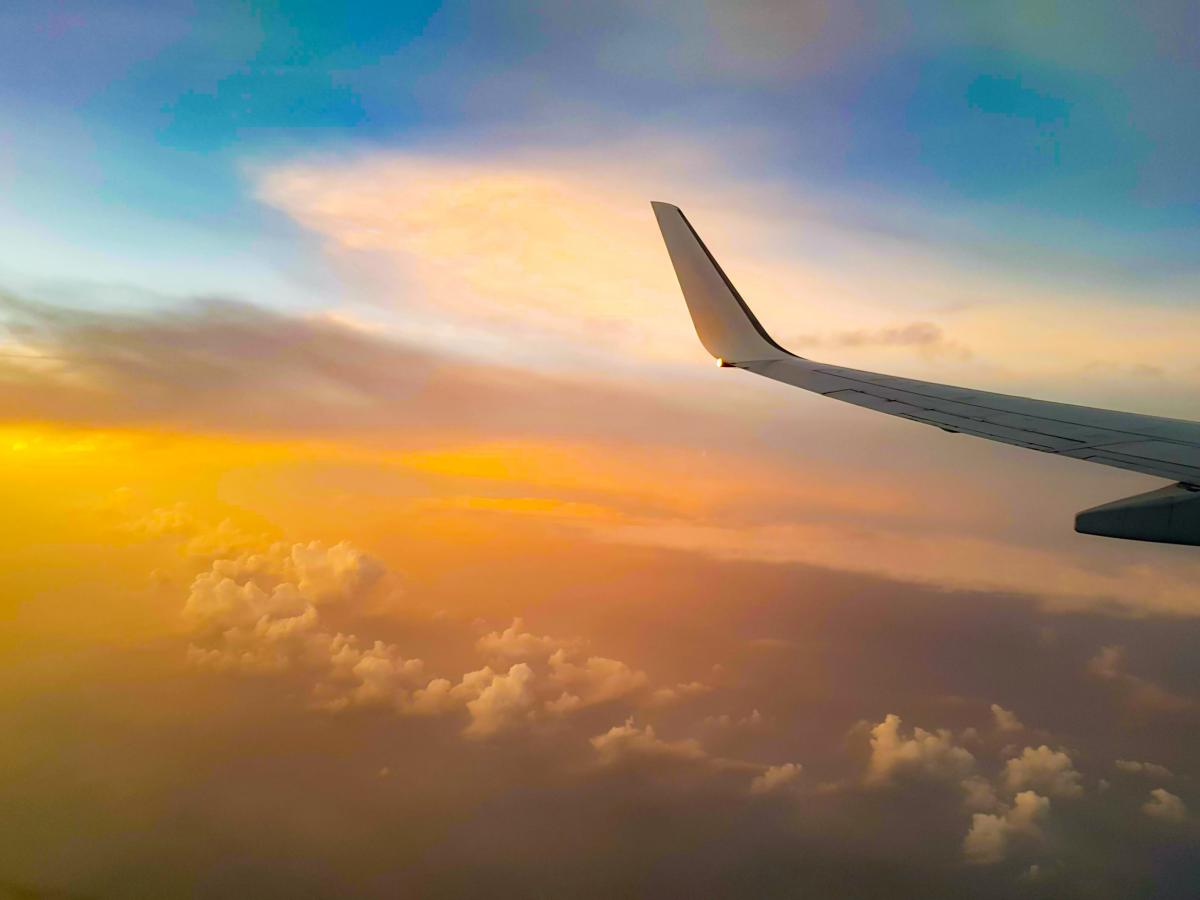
{"x":1166,"y":448}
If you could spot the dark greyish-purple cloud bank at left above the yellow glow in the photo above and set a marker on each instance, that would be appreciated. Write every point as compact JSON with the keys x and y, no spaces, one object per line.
{"x":217,"y":363}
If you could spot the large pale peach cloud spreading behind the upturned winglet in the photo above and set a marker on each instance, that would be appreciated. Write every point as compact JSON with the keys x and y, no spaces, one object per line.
{"x":525,"y":239}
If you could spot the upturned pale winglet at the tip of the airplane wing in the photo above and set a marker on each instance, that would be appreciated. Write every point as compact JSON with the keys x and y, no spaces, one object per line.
{"x":724,"y":322}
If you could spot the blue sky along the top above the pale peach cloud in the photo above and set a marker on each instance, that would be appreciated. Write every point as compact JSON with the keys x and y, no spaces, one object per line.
{"x":1076,"y":117}
